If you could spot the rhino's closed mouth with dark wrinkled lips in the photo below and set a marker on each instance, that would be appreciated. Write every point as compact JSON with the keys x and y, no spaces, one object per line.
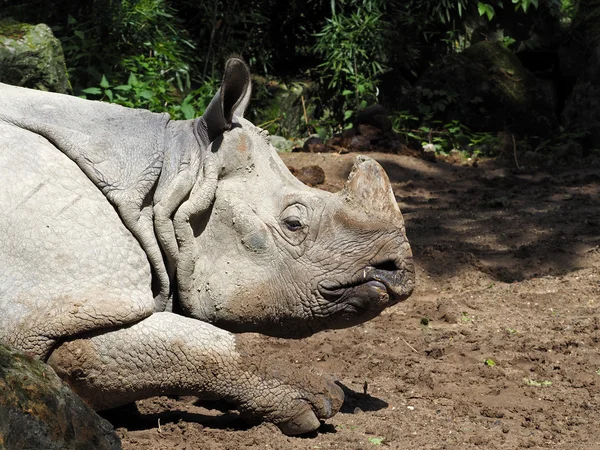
{"x":374,"y":289}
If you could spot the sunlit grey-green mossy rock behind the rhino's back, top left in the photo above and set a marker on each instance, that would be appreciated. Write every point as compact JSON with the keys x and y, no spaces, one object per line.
{"x":32,"y":57}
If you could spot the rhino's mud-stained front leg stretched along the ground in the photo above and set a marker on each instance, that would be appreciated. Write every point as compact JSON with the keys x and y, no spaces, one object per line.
{"x":167,"y":354}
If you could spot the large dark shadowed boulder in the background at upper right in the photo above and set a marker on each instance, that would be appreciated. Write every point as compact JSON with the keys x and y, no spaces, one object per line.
{"x":487,"y":89}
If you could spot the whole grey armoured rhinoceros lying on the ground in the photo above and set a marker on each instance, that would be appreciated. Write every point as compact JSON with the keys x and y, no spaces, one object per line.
{"x":132,"y":246}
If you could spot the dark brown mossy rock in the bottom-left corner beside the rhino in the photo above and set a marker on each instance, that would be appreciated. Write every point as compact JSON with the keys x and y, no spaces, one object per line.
{"x":38,"y":411}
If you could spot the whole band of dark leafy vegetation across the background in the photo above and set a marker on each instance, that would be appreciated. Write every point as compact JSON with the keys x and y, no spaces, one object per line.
{"x":166,"y":55}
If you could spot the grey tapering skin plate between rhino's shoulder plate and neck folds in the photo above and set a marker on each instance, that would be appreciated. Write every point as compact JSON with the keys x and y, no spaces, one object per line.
{"x":120,"y":150}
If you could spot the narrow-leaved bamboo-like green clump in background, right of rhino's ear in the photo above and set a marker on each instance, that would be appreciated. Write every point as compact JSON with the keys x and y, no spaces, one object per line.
{"x":351,"y":45}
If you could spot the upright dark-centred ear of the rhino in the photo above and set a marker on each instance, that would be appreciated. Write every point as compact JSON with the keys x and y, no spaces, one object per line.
{"x":230,"y":100}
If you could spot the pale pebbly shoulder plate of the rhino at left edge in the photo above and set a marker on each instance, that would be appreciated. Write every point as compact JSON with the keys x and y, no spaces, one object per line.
{"x":67,"y":263}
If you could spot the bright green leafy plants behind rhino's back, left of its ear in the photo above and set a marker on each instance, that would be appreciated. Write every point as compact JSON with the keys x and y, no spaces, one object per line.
{"x":154,"y":67}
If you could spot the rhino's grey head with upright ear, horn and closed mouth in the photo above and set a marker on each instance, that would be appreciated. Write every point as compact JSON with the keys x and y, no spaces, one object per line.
{"x":277,"y":257}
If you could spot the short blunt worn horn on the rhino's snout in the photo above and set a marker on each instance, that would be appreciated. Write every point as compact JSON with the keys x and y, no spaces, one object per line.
{"x":369,"y":188}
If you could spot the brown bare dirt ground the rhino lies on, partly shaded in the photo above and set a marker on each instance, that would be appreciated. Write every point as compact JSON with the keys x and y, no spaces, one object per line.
{"x":508,"y":272}
